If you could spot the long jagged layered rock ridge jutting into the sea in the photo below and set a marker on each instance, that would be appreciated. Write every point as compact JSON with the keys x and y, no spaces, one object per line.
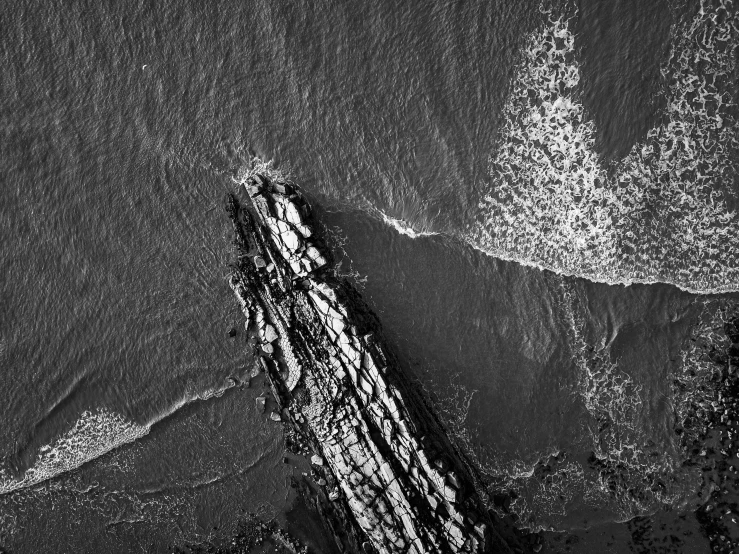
{"x":388,"y":464}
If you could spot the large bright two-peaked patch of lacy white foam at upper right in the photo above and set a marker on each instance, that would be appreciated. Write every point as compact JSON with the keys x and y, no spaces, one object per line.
{"x":662,"y":214}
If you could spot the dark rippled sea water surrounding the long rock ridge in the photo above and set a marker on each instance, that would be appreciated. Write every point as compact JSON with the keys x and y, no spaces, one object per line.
{"x":122,"y":396}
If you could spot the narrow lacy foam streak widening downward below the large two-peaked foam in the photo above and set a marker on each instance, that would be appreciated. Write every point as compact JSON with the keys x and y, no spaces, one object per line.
{"x":626,"y":459}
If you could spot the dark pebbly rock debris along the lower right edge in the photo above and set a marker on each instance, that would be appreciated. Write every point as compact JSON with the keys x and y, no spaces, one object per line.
{"x":706,"y":405}
